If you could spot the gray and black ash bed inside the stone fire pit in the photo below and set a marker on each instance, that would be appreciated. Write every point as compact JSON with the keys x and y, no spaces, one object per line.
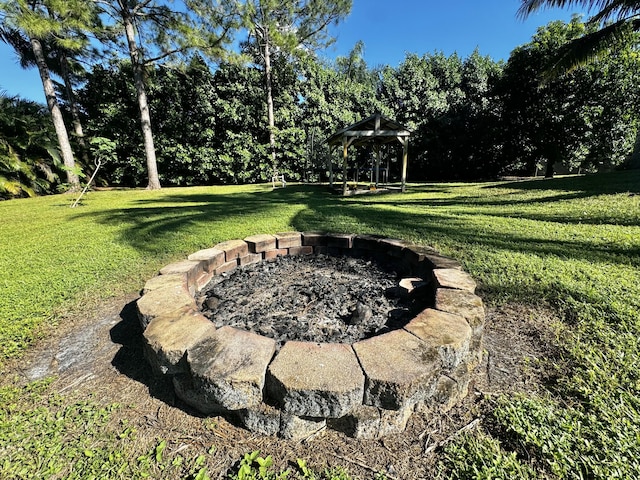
{"x":308,"y":298}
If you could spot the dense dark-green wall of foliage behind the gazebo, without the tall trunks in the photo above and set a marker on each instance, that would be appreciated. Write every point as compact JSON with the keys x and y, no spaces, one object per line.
{"x":472,"y":118}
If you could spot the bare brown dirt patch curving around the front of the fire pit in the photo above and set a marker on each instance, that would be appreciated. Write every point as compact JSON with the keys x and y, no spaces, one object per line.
{"x":99,"y":355}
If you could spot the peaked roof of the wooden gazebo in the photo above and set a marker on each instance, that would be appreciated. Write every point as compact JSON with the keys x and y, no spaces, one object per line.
{"x":375,"y":129}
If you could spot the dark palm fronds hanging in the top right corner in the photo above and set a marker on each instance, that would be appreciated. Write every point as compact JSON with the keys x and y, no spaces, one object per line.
{"x":616,"y":19}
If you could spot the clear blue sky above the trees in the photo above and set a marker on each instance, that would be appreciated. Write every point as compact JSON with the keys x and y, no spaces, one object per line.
{"x":389,"y":29}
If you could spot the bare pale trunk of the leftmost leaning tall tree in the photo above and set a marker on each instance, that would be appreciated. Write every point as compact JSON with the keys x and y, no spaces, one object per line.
{"x":56,"y":115}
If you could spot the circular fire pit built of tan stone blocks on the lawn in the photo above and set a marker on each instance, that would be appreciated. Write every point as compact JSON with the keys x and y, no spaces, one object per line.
{"x":366,"y":387}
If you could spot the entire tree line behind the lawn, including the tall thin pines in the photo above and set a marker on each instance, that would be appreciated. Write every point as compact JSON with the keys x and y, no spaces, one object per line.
{"x":186,"y":109}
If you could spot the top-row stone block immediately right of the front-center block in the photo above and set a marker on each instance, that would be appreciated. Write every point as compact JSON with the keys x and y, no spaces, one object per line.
{"x":399,"y":368}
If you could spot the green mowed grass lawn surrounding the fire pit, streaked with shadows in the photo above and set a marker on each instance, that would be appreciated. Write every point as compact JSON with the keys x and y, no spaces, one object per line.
{"x":571,"y":243}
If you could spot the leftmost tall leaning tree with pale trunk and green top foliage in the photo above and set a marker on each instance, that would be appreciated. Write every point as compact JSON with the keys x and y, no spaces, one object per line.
{"x":56,"y":22}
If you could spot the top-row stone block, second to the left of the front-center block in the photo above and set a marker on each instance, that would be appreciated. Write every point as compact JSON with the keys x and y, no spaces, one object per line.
{"x":167,"y":339}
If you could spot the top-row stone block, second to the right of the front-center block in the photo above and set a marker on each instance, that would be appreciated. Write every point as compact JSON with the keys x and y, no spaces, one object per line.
{"x":449,"y":333}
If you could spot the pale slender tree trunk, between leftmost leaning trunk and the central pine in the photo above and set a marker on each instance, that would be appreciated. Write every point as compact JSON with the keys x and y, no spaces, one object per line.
{"x":145,"y":117}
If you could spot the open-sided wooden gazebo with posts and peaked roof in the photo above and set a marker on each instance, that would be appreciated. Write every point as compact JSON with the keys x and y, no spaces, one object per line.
{"x":377,"y":131}
